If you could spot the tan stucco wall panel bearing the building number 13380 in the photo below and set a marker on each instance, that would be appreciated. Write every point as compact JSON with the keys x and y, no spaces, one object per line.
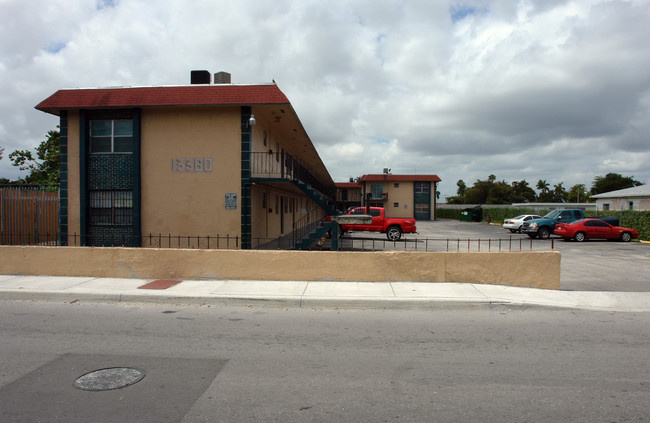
{"x":190,"y":202}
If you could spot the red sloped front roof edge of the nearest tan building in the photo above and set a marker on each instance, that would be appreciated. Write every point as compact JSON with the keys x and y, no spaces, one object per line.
{"x":189,"y":95}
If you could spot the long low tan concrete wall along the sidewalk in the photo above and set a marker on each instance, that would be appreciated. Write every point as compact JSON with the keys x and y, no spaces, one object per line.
{"x":525,"y":269}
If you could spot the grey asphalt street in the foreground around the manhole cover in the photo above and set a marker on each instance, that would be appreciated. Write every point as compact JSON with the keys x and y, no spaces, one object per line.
{"x":244,"y":364}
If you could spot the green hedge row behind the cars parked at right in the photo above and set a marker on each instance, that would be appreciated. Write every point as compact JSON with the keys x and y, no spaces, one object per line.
{"x":638,"y":220}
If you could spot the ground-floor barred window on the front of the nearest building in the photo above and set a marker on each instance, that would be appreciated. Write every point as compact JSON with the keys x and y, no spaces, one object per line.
{"x":111,"y":208}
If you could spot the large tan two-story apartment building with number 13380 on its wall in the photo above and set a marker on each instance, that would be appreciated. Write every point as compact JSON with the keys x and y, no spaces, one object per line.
{"x":143,"y":163}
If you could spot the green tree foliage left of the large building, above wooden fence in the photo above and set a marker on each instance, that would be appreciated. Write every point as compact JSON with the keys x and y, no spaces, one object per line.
{"x":44,"y":168}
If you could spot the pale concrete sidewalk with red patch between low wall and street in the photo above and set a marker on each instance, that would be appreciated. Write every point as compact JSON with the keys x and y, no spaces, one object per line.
{"x":309,"y":294}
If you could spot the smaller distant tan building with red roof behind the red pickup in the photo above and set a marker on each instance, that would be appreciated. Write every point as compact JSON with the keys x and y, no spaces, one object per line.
{"x":400,"y":195}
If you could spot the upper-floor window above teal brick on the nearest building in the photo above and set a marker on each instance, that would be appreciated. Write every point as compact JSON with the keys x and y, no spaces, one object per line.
{"x":111,"y":136}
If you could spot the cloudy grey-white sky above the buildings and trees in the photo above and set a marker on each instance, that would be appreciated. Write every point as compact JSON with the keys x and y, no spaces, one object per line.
{"x":532,"y":89}
